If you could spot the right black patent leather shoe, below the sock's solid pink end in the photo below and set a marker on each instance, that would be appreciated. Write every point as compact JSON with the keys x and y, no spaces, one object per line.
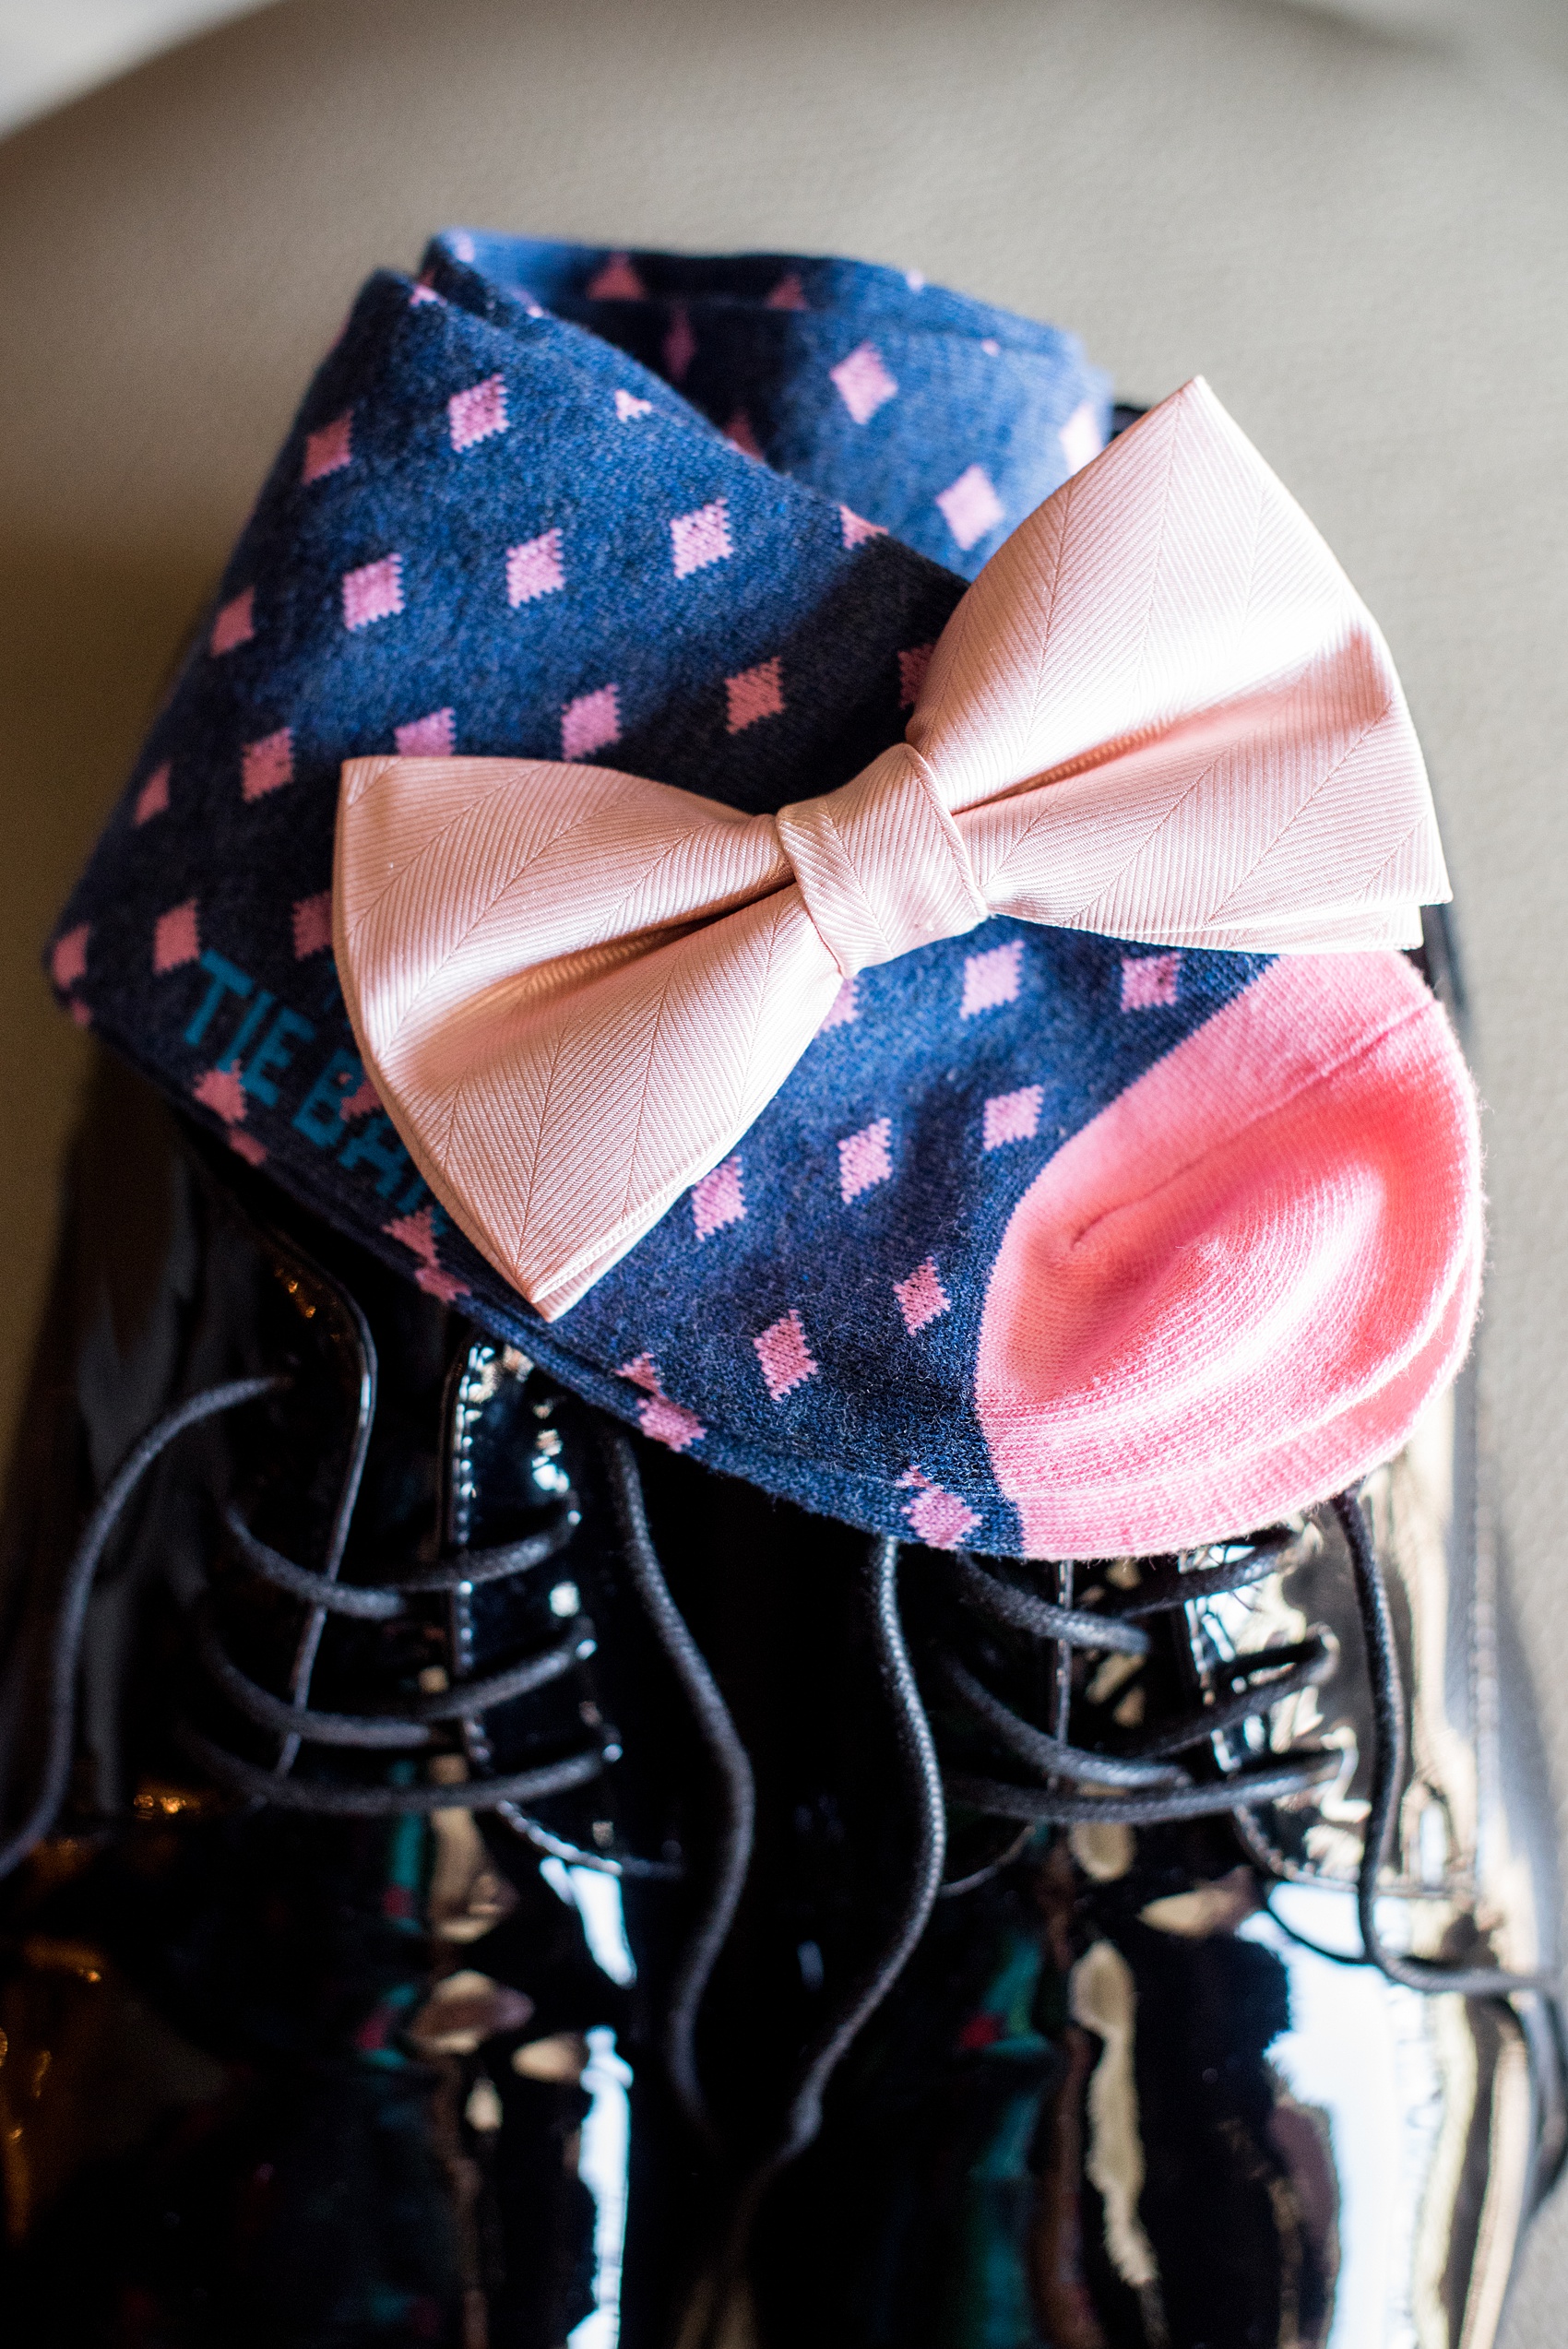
{"x":1233,"y":2024}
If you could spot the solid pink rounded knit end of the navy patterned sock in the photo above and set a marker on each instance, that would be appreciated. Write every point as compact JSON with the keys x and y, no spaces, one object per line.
{"x":1235,"y":1288}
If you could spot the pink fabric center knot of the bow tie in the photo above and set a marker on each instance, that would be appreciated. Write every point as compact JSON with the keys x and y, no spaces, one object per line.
{"x":880,"y":863}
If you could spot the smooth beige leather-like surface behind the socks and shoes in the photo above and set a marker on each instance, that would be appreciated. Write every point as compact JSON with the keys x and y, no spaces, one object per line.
{"x":1353,"y":231}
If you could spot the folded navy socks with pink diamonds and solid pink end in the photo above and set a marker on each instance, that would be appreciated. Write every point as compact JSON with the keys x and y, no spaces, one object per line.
{"x":953,"y":1281}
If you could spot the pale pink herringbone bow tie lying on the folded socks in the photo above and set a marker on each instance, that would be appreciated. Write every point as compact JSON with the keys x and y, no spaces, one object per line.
{"x":1160,"y":713}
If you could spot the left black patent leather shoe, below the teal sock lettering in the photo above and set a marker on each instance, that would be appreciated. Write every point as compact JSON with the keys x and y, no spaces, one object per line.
{"x":370,"y":1815}
